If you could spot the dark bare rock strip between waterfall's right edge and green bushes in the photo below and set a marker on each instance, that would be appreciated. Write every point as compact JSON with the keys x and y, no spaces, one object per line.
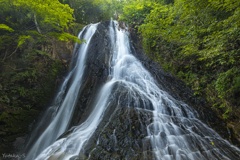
{"x":180,"y":91}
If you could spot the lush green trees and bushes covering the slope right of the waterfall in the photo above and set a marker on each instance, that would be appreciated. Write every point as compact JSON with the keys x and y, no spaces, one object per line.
{"x":196,"y":40}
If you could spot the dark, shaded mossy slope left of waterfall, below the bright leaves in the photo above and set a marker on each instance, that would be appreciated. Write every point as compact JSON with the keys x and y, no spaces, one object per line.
{"x":27,"y":83}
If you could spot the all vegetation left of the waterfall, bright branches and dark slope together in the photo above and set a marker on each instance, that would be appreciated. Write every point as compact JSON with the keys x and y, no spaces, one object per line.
{"x":30,"y":63}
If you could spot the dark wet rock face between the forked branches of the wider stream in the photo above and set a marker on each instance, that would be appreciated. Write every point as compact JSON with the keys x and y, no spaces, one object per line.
{"x":122,"y":136}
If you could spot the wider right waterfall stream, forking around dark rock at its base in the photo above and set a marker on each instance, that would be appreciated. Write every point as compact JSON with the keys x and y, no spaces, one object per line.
{"x":174,"y":133}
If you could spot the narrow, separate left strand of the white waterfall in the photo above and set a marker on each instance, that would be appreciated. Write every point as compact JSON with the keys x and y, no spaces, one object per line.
{"x":62,"y":112}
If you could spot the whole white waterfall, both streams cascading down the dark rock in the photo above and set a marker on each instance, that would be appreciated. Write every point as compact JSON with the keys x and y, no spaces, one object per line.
{"x":174,"y":132}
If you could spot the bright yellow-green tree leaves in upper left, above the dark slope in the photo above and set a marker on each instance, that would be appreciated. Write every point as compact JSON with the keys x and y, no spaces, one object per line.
{"x":32,"y":20}
